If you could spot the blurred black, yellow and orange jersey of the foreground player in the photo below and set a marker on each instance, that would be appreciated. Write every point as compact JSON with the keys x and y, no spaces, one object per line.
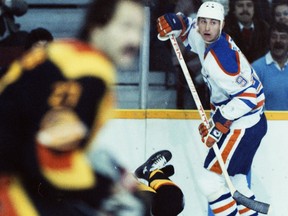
{"x":52,"y":103}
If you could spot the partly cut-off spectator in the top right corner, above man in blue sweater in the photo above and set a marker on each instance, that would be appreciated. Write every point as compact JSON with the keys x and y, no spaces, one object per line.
{"x":280,"y":11}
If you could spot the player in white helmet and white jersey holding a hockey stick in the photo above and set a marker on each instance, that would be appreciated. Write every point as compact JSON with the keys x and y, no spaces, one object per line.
{"x":236,"y":97}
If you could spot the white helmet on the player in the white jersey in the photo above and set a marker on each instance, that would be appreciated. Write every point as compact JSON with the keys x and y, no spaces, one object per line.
{"x":211,"y":10}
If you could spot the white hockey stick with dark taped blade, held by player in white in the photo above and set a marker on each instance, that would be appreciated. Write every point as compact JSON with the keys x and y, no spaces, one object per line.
{"x":240,"y":198}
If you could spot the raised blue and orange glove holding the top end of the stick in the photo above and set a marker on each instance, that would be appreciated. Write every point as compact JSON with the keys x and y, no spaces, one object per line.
{"x":171,"y":23}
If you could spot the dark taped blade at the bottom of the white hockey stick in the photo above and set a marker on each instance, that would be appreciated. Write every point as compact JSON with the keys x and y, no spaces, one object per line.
{"x":250,"y":203}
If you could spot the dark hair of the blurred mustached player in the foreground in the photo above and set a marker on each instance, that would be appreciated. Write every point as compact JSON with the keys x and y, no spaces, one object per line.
{"x":98,"y":14}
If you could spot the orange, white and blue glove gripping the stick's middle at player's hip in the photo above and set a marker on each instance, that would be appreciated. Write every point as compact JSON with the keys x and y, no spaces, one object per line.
{"x":218,"y":125}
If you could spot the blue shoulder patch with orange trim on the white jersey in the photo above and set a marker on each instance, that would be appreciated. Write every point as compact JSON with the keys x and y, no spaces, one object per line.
{"x":226,"y":57}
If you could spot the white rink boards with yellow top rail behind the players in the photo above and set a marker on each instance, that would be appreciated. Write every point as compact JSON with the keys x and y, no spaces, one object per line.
{"x":133,"y":135}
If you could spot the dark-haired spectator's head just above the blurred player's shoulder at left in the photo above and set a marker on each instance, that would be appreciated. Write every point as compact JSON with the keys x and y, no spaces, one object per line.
{"x":38,"y":37}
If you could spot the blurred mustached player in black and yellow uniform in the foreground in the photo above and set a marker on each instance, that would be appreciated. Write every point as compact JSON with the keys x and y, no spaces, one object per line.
{"x":53,"y":101}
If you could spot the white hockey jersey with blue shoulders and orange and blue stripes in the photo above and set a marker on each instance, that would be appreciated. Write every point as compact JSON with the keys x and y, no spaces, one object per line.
{"x":234,"y":86}
